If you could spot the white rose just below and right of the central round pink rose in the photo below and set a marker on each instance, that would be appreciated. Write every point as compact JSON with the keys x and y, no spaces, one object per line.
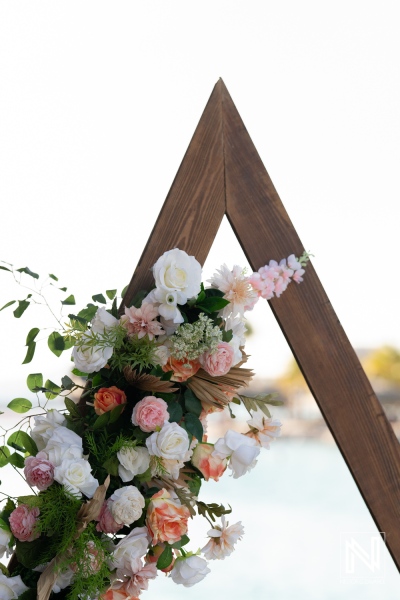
{"x":172,"y":442}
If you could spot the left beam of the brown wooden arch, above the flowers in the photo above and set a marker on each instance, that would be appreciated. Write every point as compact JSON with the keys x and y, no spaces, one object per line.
{"x":193,"y":210}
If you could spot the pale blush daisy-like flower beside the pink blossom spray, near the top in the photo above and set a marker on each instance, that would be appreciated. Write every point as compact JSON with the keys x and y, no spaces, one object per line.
{"x":236,"y":288}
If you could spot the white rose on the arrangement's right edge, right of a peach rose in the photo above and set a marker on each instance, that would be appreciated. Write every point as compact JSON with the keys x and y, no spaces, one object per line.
{"x":241,"y":450}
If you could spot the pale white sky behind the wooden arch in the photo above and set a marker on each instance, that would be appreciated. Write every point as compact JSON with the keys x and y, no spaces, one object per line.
{"x":99,"y":101}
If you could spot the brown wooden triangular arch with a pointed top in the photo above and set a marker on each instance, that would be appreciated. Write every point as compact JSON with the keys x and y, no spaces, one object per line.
{"x":222,"y":173}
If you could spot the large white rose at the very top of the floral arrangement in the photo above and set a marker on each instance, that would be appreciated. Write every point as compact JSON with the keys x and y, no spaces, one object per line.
{"x":176,"y":271}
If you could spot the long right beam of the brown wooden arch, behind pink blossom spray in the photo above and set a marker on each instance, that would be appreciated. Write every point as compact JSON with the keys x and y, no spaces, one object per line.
{"x":314,"y":333}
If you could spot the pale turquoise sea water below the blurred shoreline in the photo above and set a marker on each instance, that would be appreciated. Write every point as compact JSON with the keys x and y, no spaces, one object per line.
{"x":297,"y":507}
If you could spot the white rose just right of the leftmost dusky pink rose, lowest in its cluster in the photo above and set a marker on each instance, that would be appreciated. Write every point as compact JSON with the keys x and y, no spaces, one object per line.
{"x":75,"y":475}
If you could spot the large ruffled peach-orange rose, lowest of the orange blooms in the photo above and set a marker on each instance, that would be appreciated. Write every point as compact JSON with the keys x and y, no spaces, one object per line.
{"x":166,"y":518}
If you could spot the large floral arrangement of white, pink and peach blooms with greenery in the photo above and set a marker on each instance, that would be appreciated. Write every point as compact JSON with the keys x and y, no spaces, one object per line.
{"x":116,"y":475}
